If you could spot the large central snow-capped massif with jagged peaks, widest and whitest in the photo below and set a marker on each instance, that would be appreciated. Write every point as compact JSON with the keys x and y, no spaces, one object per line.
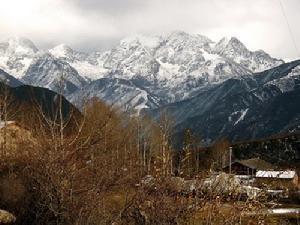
{"x":179,"y":55}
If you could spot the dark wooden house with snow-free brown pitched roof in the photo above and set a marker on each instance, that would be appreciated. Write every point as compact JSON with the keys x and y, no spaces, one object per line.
{"x":248,"y":167}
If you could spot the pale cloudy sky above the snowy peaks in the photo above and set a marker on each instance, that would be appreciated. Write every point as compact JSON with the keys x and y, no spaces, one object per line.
{"x":100,"y":24}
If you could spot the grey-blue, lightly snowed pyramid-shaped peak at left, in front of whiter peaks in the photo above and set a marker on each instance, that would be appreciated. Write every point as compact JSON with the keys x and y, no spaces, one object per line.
{"x":49,"y":72}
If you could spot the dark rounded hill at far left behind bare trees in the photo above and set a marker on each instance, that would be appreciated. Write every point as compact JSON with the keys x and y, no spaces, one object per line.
{"x":30,"y":105}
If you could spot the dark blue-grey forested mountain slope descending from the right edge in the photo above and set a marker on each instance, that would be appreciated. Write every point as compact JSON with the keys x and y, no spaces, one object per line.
{"x":245,"y":108}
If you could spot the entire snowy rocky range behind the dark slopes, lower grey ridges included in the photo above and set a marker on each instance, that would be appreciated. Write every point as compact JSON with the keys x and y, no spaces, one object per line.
{"x":159,"y":69}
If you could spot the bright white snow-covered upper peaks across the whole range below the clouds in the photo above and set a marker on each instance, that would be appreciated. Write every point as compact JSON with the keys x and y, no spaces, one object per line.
{"x":158,"y":58}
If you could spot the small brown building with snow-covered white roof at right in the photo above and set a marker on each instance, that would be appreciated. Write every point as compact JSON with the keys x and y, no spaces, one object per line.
{"x":277,"y":179}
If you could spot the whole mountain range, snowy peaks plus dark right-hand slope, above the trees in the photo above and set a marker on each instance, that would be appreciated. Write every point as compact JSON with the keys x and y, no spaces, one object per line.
{"x":215,"y":88}
